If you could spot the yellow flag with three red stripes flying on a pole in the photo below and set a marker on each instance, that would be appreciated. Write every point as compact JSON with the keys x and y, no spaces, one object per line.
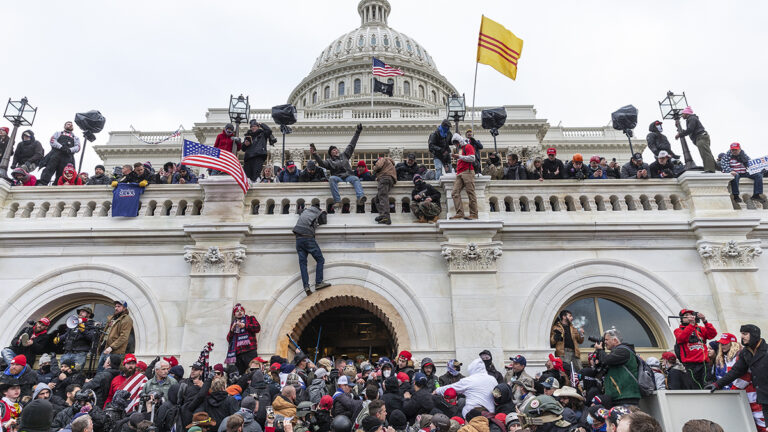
{"x":498,"y":47}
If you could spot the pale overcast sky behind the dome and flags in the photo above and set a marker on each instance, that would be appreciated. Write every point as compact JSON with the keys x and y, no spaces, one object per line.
{"x":158,"y":64}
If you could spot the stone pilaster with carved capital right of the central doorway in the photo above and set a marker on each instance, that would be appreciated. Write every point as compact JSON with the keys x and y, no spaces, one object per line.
{"x":471,"y":255}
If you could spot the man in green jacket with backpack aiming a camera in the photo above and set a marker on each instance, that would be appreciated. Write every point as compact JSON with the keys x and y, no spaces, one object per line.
{"x":621,"y":378}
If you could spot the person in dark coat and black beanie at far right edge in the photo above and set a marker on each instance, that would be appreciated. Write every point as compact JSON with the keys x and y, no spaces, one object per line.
{"x":753,"y":358}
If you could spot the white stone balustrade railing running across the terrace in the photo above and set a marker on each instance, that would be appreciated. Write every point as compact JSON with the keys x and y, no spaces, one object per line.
{"x":507,"y":200}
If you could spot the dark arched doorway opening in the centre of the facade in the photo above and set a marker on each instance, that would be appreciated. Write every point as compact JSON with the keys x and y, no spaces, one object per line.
{"x":347,"y":331}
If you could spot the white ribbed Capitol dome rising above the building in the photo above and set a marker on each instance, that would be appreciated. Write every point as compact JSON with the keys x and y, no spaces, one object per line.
{"x":341,"y":75}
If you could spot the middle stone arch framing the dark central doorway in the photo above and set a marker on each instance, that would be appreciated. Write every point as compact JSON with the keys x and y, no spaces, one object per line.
{"x":353,"y":284}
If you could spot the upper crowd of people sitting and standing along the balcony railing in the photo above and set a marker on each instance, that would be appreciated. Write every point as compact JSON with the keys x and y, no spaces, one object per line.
{"x":450,"y":151}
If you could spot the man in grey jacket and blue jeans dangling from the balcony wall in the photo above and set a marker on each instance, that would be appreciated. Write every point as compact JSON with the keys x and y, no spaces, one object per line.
{"x":309,"y":219}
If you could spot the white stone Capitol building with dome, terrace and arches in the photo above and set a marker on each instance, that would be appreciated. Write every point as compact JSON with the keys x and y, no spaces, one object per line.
{"x":624,"y":254}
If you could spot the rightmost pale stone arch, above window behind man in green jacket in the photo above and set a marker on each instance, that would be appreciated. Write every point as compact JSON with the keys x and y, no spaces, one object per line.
{"x":631,"y":283}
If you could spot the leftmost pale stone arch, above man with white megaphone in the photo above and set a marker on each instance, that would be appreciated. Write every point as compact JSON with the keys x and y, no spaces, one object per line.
{"x":86,"y":281}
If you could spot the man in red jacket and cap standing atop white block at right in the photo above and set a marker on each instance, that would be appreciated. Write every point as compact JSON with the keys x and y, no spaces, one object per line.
{"x":691,"y":346}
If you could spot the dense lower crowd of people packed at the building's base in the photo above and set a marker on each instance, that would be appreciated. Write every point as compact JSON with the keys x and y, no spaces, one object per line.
{"x":403,"y":394}
